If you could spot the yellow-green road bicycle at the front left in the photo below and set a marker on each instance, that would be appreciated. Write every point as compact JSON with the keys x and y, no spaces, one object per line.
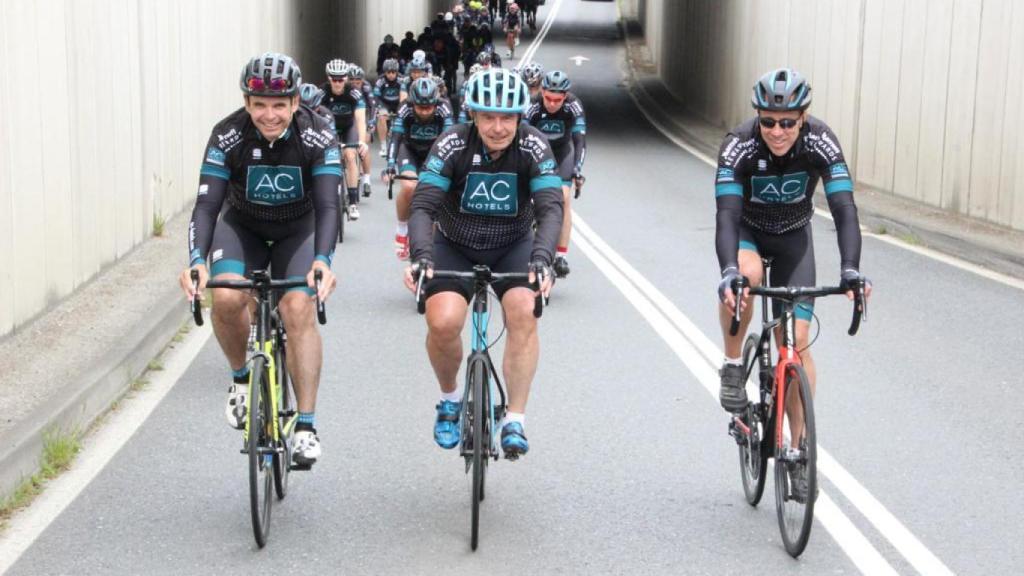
{"x":272,"y":414}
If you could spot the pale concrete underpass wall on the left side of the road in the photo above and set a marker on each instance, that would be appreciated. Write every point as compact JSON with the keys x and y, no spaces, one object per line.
{"x":133,"y":90}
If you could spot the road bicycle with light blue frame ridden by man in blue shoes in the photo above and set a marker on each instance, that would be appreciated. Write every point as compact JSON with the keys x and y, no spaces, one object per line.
{"x":482,"y":415}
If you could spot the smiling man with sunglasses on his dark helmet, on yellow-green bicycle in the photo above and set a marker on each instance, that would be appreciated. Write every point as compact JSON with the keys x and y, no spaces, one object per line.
{"x":278,"y":166}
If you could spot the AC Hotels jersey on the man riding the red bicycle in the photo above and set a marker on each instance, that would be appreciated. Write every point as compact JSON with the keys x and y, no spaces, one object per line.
{"x":774,"y":194}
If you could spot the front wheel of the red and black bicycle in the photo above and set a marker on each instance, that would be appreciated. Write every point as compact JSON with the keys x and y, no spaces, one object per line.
{"x":796,"y":509}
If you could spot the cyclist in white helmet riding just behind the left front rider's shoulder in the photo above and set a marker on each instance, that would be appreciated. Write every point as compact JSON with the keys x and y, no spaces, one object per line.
{"x":350,"y":109}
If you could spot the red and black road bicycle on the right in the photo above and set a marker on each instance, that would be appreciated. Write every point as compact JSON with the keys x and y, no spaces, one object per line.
{"x":760,"y":431}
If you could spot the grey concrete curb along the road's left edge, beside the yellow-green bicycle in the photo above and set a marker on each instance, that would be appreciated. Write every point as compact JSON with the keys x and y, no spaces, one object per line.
{"x":92,"y":396}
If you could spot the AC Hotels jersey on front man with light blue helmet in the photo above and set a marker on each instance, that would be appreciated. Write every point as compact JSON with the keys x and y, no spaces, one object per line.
{"x":484,"y":203}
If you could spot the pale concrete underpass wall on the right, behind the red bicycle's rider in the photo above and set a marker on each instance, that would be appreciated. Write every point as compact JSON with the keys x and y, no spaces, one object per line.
{"x":923,"y":94}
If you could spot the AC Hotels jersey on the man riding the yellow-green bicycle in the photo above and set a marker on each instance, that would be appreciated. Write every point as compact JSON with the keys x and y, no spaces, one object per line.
{"x":279,"y":182}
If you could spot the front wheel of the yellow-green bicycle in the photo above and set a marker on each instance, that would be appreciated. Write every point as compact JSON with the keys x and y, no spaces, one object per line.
{"x":261,"y":458}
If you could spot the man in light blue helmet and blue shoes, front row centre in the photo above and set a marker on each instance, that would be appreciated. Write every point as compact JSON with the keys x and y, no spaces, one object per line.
{"x":486,"y":185}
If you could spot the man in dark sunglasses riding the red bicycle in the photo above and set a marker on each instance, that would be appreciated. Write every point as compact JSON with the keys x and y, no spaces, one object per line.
{"x":767,"y":171}
